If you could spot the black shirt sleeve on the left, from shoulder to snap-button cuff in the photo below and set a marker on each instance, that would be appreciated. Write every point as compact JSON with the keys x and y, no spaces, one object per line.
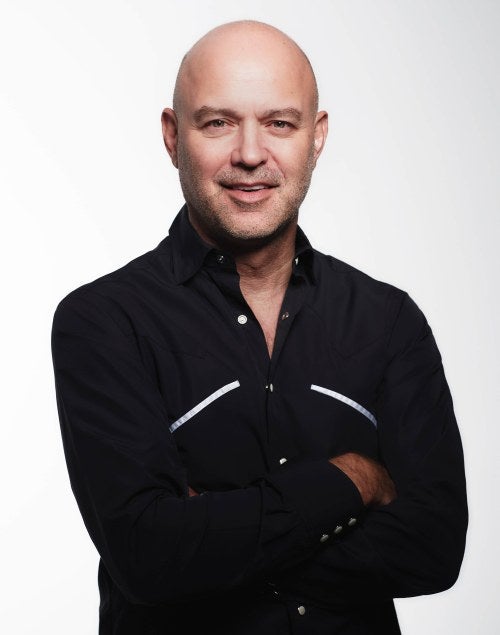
{"x":158,"y":544}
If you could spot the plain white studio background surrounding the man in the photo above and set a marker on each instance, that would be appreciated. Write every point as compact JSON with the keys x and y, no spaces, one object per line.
{"x":407,"y":190}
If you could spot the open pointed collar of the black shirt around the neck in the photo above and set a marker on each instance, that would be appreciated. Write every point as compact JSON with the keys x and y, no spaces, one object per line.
{"x":189,"y":251}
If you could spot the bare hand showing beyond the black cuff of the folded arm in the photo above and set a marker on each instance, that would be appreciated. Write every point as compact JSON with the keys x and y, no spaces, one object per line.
{"x":371,"y":478}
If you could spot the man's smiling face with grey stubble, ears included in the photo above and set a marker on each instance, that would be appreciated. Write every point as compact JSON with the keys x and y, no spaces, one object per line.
{"x":245,"y":141}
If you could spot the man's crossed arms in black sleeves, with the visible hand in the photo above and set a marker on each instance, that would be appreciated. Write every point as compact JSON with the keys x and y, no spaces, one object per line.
{"x":162,"y":545}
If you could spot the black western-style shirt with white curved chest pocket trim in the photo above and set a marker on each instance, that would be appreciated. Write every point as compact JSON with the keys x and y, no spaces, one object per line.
{"x":164,"y":381}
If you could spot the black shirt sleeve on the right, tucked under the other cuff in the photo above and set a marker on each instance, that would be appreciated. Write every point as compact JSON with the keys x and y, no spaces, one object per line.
{"x":414,"y":545}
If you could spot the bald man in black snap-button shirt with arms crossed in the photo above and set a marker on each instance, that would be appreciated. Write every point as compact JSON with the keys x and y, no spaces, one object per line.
{"x":260,"y":437}
